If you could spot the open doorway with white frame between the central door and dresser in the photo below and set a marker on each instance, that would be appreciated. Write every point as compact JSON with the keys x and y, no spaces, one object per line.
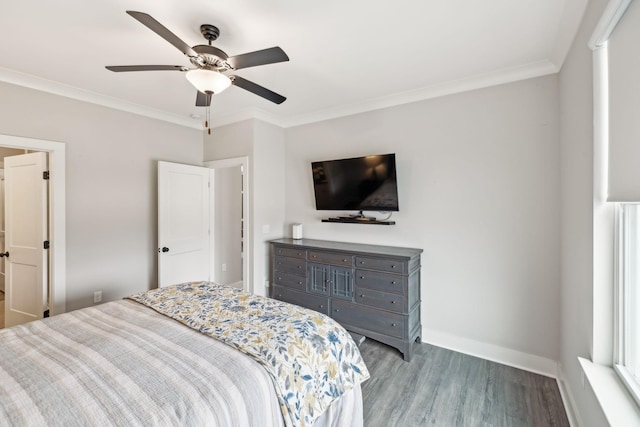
{"x":230,"y":207}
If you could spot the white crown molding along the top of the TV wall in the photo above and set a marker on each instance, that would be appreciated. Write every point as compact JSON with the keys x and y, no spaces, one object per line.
{"x":508,"y":75}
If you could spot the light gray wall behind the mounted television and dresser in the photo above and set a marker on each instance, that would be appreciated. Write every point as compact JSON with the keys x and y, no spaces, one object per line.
{"x":478,"y":179}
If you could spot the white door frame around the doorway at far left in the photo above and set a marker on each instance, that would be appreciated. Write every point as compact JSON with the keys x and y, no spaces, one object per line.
{"x":57,"y":213}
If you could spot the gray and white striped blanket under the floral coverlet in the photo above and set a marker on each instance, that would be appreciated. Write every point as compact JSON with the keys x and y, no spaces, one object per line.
{"x":124,"y":364}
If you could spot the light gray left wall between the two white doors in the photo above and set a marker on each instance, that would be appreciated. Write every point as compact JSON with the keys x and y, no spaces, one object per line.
{"x":111,"y":204}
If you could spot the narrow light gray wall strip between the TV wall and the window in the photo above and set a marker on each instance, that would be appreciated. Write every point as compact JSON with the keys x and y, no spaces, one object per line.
{"x":577,"y":159}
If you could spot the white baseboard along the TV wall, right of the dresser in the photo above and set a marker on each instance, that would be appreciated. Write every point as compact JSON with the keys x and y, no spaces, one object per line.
{"x":494,"y":353}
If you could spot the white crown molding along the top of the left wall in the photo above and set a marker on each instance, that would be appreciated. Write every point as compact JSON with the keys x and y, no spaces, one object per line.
{"x":56,"y":88}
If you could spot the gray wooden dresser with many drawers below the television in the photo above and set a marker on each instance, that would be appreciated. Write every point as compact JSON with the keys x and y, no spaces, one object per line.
{"x":369,"y":289}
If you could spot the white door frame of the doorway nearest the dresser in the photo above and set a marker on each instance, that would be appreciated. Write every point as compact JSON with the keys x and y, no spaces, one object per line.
{"x":243,"y":162}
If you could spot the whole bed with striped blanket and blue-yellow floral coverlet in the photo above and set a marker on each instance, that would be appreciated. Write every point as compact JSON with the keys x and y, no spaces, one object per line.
{"x":190,"y":354}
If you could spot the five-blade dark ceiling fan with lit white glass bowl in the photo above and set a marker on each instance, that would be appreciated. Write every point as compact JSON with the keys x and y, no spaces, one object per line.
{"x":210,"y":63}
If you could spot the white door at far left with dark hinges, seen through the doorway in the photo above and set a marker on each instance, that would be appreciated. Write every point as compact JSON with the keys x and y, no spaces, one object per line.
{"x":26,"y":263}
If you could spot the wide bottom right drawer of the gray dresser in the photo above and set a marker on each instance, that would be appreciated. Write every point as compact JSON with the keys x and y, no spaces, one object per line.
{"x":392,"y":324}
